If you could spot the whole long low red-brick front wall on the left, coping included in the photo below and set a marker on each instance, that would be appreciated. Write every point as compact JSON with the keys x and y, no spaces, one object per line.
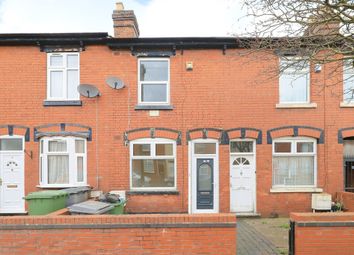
{"x":118,"y":234}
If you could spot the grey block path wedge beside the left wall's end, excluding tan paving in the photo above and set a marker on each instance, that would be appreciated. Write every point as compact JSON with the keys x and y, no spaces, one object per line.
{"x":251,"y":242}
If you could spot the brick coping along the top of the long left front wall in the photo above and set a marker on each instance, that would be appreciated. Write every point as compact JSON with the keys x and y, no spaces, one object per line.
{"x":118,"y":221}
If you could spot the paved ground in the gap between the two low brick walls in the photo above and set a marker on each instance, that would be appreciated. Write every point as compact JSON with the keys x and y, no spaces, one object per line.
{"x":262,"y":236}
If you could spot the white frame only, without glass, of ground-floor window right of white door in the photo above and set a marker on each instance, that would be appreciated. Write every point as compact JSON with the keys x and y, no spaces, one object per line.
{"x":293,"y":153}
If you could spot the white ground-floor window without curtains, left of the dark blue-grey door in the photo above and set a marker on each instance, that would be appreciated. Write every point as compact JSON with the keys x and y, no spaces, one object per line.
{"x":153,"y":164}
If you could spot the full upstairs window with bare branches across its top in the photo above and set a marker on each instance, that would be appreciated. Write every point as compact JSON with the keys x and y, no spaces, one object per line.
{"x":294,"y":81}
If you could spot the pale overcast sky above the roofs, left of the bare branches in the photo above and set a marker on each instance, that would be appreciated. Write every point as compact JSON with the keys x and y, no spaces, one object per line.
{"x":156,"y":18}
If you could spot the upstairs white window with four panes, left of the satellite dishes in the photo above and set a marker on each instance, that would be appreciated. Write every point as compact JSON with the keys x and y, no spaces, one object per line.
{"x":63,"y":76}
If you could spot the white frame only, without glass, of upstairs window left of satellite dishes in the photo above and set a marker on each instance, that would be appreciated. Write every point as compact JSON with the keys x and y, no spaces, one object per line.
{"x":65,"y":70}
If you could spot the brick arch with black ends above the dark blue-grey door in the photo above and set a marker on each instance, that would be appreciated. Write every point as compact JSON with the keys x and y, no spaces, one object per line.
{"x":207,"y":133}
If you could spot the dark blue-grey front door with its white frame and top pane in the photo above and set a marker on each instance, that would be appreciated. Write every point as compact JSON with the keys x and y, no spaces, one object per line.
{"x":204,"y":176}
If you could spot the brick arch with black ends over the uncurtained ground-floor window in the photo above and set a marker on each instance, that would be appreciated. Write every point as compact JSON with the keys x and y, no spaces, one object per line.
{"x":156,"y":132}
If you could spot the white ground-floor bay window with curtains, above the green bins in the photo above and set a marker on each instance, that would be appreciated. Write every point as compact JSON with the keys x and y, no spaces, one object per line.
{"x":63,"y":162}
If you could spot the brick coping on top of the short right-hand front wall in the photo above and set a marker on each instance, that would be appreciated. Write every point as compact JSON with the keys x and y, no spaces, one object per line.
{"x":318,"y":218}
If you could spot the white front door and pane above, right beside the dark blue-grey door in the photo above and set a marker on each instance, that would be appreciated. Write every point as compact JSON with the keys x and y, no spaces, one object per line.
{"x":242,"y":177}
